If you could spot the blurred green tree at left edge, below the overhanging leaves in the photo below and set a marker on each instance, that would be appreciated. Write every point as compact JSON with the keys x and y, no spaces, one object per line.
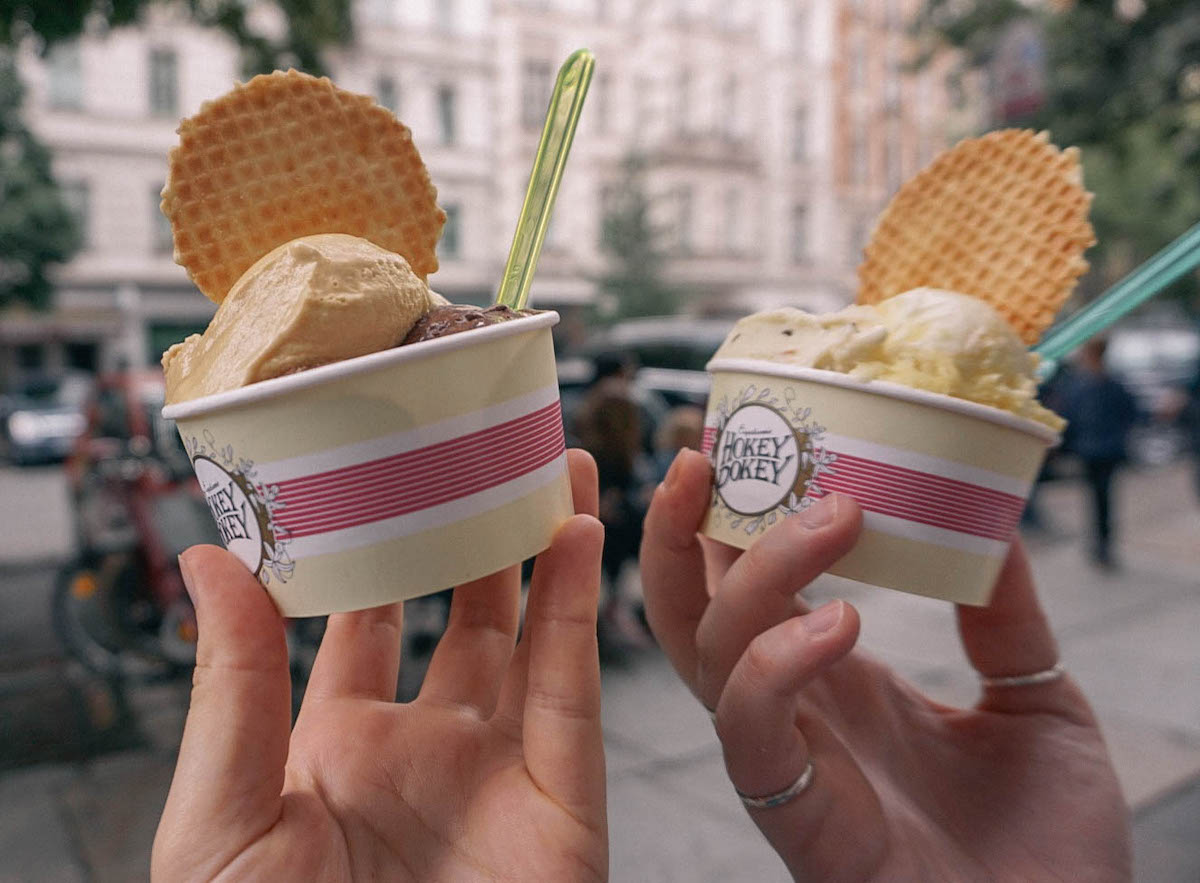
{"x":37,"y":229}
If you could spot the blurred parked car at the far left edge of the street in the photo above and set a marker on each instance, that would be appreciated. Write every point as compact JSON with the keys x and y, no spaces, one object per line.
{"x":43,"y":418}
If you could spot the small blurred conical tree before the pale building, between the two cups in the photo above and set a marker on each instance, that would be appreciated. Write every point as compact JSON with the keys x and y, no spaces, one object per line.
{"x":633,"y":243}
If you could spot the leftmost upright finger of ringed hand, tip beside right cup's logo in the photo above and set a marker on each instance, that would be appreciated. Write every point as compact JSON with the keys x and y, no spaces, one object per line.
{"x":673,"y":561}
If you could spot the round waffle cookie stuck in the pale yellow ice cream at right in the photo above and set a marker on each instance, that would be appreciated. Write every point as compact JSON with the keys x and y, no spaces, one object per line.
{"x":1003,"y":218}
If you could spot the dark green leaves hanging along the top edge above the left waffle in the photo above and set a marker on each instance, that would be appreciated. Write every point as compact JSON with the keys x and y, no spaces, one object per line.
{"x":311,"y":26}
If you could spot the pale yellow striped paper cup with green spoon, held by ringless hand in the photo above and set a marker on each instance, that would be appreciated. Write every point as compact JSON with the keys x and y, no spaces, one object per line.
{"x":389,"y":476}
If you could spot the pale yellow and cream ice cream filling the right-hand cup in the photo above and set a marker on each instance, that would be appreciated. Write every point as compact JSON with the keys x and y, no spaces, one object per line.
{"x":927,"y":339}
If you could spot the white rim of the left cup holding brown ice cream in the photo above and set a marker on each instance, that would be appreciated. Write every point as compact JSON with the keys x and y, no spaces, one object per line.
{"x":358,"y":365}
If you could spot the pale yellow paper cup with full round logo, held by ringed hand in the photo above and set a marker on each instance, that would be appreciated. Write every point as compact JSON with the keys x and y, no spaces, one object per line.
{"x":941,"y":482}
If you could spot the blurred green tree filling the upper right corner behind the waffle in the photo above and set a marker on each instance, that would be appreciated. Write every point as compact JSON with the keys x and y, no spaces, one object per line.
{"x":1123,"y":82}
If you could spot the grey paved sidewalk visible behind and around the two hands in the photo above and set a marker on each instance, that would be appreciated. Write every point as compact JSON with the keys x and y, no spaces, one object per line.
{"x":1129,"y":638}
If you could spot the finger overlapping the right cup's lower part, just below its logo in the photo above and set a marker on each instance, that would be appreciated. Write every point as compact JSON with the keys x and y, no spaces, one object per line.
{"x":759,"y":591}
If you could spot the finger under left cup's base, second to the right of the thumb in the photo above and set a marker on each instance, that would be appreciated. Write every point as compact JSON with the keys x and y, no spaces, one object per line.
{"x":470,"y":663}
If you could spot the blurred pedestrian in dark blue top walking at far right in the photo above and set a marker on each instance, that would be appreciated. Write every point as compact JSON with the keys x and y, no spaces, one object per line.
{"x":1101,"y":413}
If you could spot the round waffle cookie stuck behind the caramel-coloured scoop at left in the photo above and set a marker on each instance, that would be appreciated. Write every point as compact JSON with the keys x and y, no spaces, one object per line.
{"x":289,"y":155}
